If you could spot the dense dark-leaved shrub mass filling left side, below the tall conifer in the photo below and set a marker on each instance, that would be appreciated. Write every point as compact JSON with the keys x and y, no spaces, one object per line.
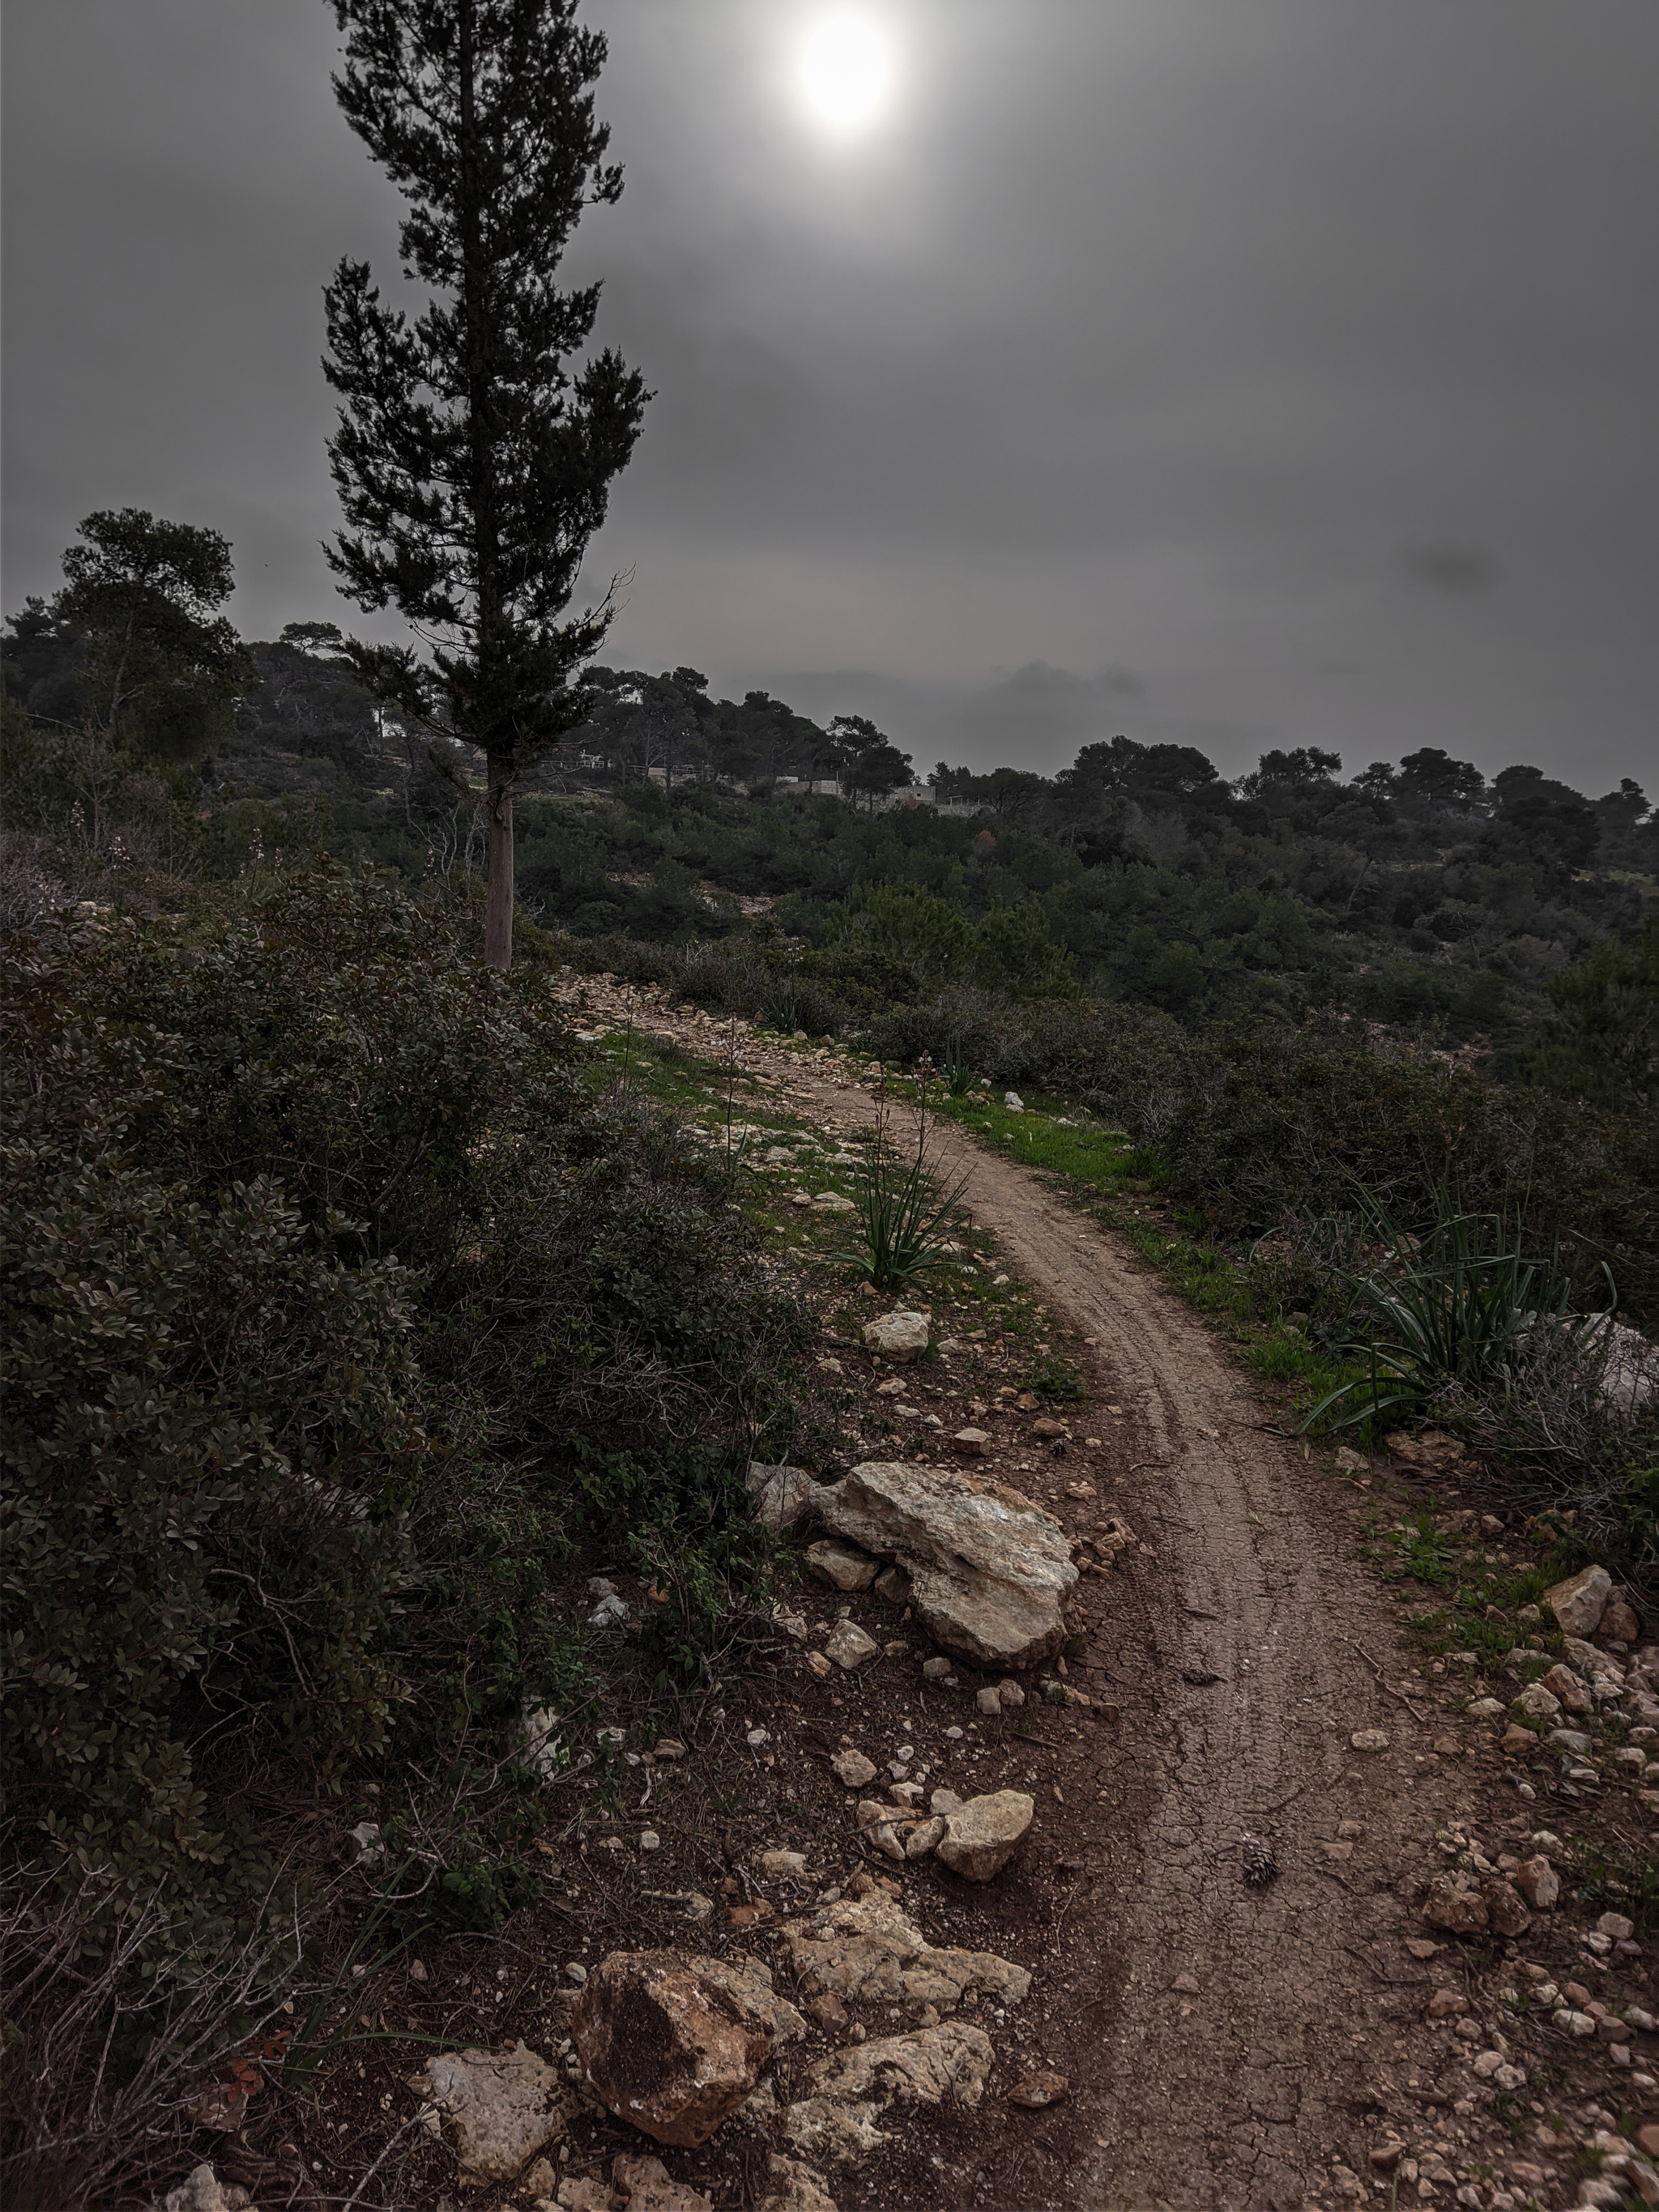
{"x":333,"y":1297}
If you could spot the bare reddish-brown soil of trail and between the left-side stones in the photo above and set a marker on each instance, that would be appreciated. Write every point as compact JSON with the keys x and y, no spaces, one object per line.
{"x":1229,"y":2045}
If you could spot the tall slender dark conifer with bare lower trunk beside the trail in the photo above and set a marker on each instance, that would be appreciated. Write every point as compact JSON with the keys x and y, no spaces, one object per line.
{"x":472,"y":459}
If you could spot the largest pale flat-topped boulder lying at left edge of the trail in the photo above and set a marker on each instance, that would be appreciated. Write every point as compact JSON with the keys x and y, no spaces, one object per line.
{"x":990,"y":1572}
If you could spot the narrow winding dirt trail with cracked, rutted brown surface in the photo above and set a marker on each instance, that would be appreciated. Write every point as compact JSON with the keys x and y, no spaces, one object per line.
{"x":1246,"y":2089}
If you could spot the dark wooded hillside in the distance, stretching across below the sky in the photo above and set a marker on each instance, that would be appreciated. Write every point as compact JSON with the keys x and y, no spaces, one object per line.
{"x":1417,"y":895}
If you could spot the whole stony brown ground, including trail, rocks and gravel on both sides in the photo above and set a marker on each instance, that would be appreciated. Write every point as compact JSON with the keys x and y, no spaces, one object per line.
{"x":1145,"y":1841}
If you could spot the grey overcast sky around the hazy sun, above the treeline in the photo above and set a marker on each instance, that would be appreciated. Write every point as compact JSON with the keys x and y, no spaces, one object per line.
{"x":1235,"y":371}
